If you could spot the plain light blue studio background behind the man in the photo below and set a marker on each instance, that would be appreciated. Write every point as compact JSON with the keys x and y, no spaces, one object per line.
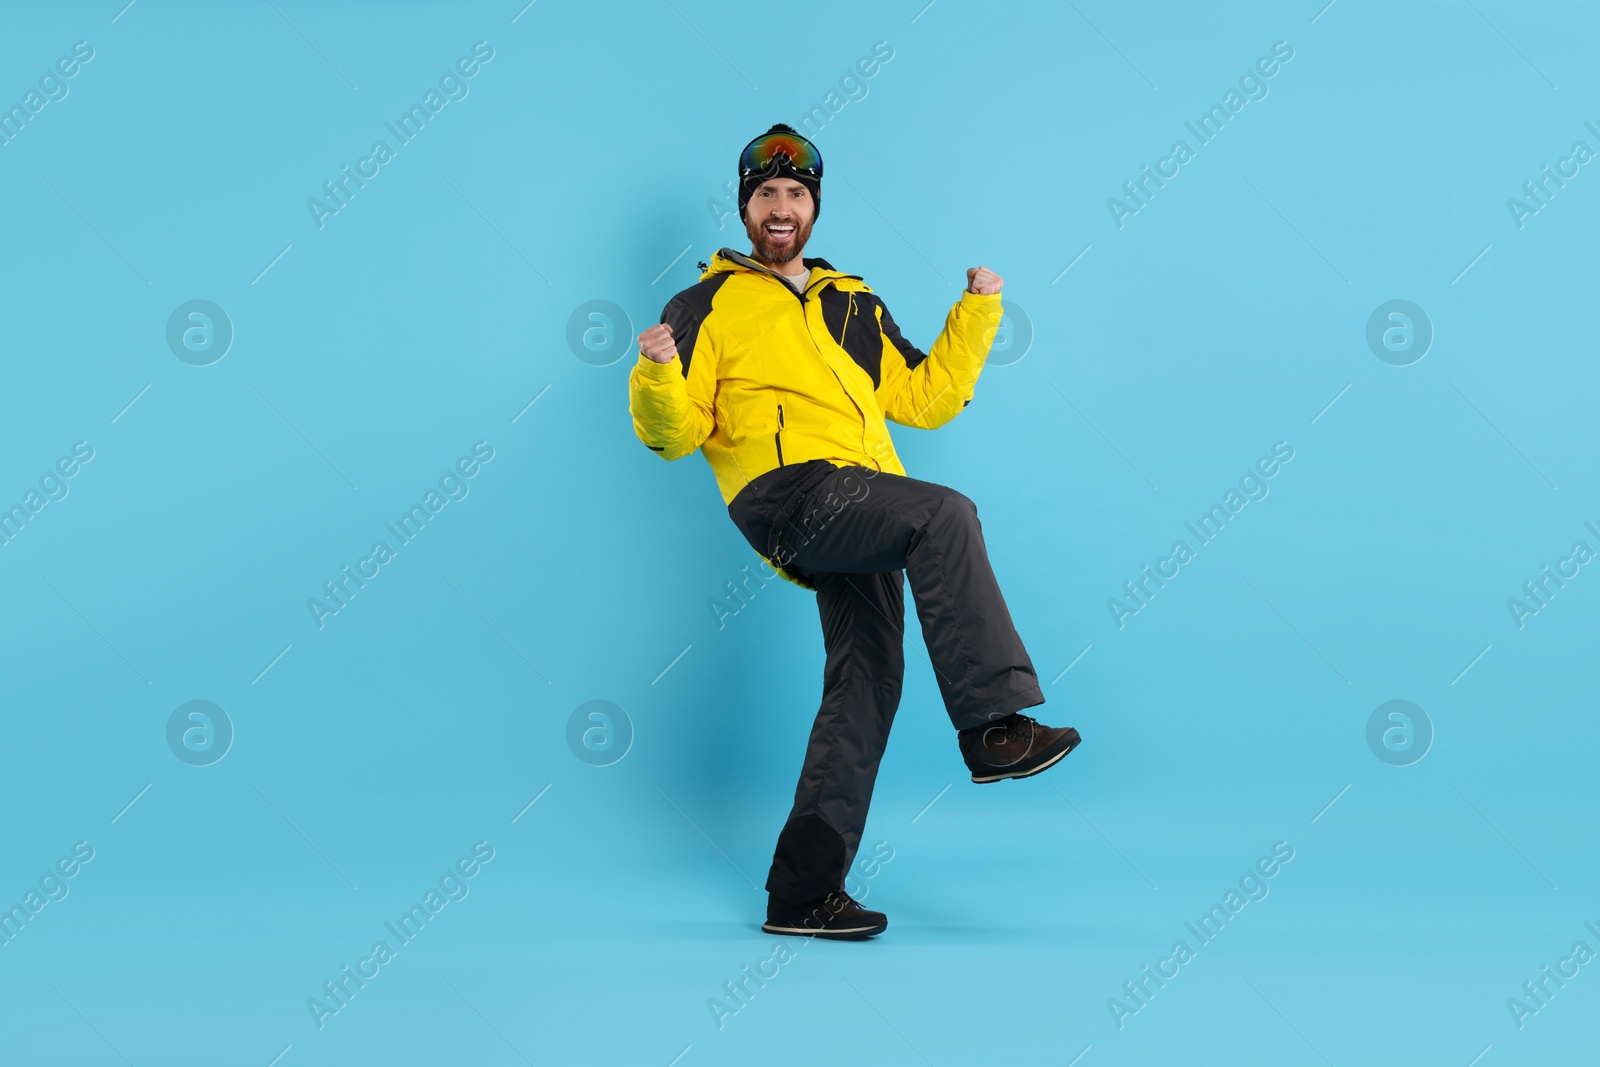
{"x":586,"y":164}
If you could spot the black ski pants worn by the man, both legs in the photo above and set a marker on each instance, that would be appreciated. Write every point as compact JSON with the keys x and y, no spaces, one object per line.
{"x":858,"y":535}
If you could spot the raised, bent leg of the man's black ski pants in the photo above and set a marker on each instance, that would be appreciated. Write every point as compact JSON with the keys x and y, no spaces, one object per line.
{"x":863,"y":521}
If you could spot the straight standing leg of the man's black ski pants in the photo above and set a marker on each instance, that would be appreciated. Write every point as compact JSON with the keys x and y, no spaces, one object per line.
{"x":863,"y":631}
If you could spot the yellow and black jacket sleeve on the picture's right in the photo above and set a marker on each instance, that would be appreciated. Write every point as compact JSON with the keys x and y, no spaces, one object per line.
{"x":929,"y":390}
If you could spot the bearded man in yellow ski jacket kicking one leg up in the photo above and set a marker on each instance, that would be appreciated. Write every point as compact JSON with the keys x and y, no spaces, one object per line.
{"x":785,"y":374}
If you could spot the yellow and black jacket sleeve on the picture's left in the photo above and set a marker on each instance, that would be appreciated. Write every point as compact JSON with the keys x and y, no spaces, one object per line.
{"x":673,"y":402}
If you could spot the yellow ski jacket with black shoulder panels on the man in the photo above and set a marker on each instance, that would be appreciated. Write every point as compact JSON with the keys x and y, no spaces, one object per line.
{"x":767,"y":377}
